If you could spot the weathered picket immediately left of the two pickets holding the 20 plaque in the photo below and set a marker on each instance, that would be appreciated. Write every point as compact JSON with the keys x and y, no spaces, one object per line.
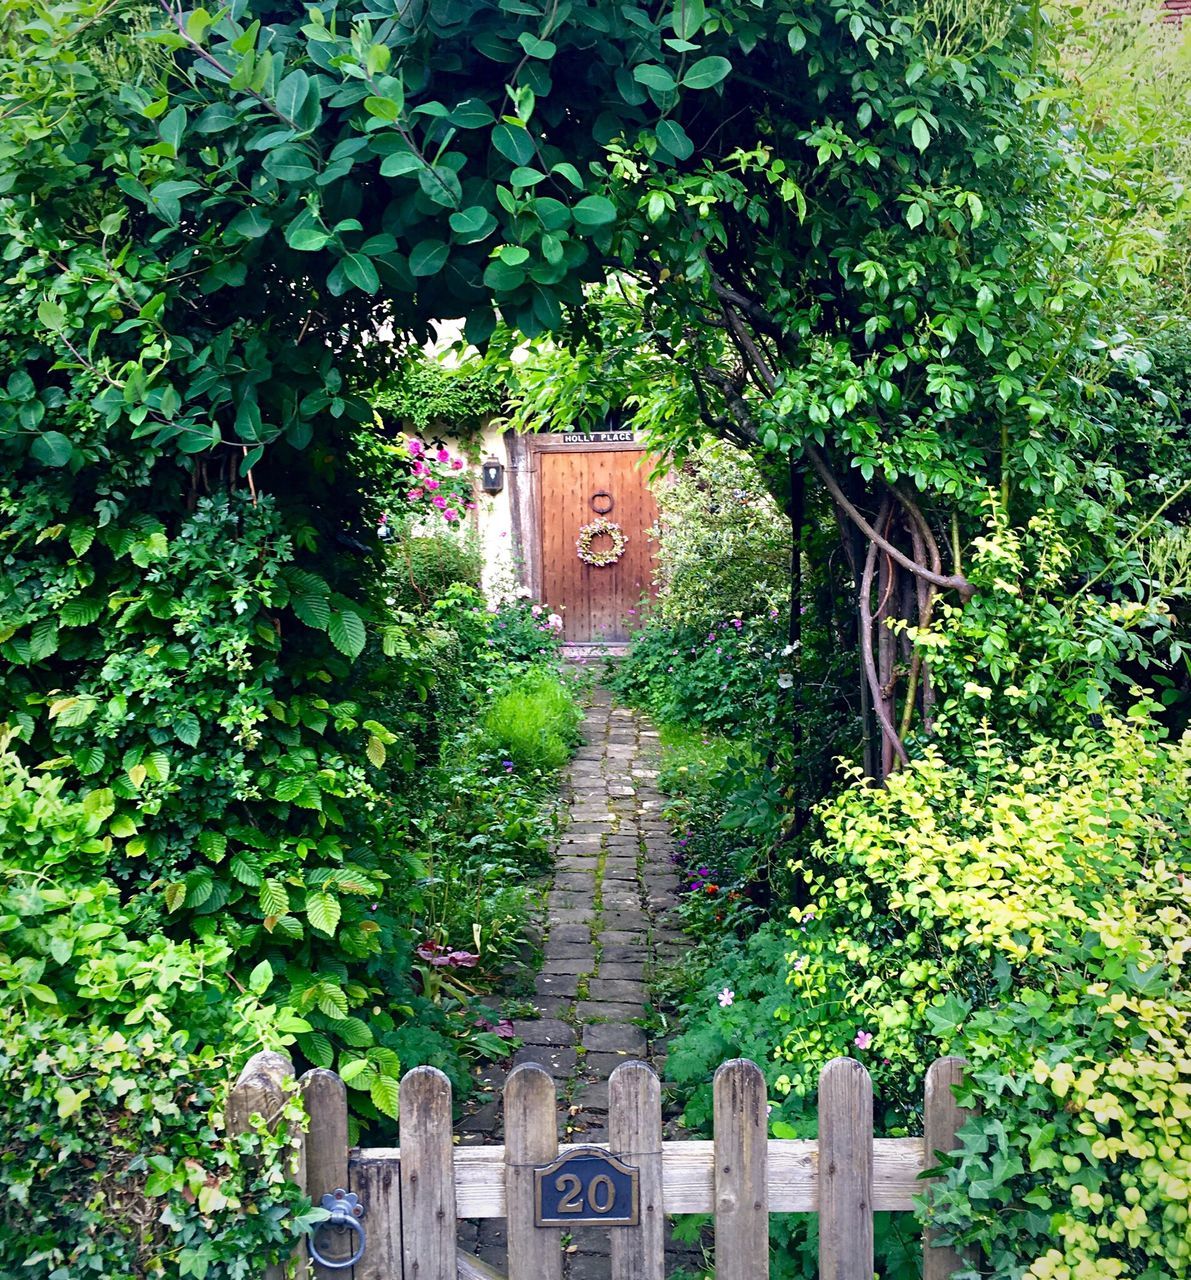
{"x":427,"y":1176}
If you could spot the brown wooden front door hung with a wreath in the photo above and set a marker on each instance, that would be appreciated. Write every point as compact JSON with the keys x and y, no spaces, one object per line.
{"x":595,"y":602}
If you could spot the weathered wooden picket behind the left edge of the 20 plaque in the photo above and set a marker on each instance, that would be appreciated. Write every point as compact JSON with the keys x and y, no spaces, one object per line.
{"x":531,"y":1139}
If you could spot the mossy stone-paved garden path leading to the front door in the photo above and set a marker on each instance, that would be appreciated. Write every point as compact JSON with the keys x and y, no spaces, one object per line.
{"x":612,"y":918}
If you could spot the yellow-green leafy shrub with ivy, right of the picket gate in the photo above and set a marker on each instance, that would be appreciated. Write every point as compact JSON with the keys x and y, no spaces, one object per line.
{"x":1029,"y":911}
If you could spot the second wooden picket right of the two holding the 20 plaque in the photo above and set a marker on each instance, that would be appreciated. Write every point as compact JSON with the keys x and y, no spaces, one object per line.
{"x":846,"y":1244}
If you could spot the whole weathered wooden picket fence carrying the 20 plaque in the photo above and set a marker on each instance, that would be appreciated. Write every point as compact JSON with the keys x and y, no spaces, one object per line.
{"x":414,"y":1196}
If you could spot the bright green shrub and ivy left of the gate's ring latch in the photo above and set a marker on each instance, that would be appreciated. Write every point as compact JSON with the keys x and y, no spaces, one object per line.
{"x":116,"y":1058}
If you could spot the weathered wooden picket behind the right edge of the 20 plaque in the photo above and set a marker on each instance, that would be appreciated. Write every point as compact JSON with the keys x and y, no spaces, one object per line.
{"x":636,"y":1136}
